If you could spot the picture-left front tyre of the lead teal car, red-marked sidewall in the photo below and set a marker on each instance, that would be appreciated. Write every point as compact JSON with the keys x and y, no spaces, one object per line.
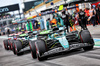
{"x":40,"y":49}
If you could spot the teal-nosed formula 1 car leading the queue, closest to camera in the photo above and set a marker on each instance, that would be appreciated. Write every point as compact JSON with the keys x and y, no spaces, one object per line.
{"x":57,"y":40}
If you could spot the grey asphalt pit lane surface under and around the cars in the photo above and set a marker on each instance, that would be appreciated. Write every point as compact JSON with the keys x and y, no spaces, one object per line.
{"x":73,"y":58}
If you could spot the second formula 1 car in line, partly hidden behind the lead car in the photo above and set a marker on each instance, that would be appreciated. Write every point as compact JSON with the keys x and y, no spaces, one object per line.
{"x":22,"y":42}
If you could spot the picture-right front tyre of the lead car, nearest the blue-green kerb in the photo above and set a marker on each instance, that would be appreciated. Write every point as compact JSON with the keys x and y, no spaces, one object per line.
{"x":85,"y":37}
